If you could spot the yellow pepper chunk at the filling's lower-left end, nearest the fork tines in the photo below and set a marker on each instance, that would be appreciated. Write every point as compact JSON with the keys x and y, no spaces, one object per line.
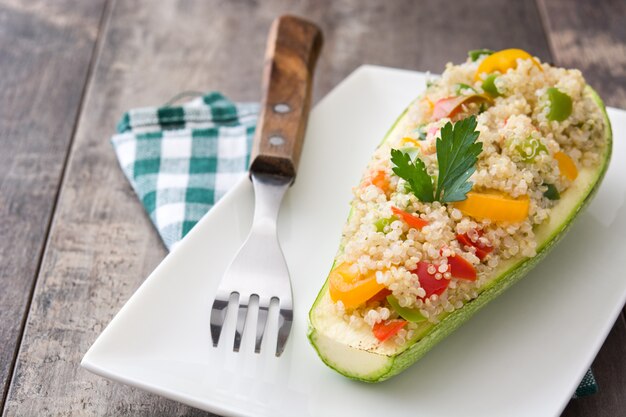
{"x":352,"y":289}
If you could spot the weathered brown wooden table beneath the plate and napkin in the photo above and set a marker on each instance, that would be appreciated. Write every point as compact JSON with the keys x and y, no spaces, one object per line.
{"x":75,"y":241}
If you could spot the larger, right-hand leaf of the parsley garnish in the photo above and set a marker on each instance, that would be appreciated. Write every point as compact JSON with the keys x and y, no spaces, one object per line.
{"x":457,"y":154}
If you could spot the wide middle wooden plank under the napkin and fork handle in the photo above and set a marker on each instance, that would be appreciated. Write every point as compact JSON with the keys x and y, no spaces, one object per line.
{"x":102,"y":245}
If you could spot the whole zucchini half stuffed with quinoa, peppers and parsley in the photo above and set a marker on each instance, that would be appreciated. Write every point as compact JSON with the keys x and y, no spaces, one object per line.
{"x":472,"y":186}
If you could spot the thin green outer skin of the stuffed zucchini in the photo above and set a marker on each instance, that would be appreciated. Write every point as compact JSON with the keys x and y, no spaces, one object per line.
{"x":437,"y":332}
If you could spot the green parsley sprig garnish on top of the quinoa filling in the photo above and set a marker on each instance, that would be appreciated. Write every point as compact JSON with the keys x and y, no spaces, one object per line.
{"x":457,"y":154}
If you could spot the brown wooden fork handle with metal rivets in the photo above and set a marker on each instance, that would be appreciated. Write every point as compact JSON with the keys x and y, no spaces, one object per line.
{"x":292,"y":49}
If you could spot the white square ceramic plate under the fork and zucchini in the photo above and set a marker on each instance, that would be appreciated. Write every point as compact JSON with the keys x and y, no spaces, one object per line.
{"x":522,"y":355}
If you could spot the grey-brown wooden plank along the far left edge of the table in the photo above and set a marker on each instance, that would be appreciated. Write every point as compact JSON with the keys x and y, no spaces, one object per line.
{"x":45,"y":54}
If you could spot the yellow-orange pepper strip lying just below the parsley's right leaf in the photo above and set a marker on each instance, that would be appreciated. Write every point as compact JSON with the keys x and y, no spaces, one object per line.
{"x":496,"y":207}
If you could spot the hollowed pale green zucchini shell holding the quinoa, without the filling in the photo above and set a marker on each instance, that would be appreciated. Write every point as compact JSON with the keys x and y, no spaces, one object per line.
{"x":358,"y":355}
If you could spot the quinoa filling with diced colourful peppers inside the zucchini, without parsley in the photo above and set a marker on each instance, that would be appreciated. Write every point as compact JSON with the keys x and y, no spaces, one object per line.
{"x":405,"y":261}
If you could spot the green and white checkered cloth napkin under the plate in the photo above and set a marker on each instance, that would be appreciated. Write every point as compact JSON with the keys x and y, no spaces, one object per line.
{"x":181,"y":159}
